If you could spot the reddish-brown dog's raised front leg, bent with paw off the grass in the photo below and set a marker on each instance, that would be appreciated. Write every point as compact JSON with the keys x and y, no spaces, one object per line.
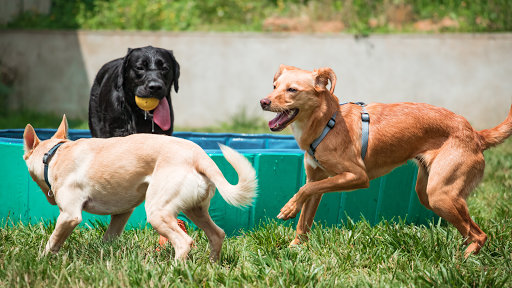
{"x":341,"y":182}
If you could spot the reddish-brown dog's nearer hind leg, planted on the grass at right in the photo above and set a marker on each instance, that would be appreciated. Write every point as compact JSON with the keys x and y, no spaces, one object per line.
{"x":451,"y":180}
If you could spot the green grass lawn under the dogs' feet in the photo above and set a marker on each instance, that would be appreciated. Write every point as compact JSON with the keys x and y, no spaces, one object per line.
{"x":389,"y":254}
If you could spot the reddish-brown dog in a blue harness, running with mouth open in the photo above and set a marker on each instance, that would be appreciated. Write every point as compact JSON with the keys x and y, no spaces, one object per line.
{"x":447,"y":149}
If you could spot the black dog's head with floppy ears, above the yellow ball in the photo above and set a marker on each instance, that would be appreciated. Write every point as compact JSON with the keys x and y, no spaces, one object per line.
{"x":148,"y":72}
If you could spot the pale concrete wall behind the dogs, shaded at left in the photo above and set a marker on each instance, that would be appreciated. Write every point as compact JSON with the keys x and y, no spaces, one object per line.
{"x":223,"y":72}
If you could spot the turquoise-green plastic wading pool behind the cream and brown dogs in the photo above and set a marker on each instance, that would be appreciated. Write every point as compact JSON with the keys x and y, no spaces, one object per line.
{"x":279,"y":166}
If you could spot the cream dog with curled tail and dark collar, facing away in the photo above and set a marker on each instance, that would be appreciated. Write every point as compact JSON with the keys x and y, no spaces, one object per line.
{"x":113,"y":176}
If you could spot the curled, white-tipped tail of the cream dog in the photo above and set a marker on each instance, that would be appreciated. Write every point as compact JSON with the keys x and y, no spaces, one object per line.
{"x":241,"y":194}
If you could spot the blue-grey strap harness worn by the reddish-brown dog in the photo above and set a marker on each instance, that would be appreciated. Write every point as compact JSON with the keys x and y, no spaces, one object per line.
{"x":365,"y":131}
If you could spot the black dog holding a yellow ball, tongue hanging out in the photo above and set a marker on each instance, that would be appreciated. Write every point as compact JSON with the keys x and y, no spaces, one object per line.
{"x":146,"y":72}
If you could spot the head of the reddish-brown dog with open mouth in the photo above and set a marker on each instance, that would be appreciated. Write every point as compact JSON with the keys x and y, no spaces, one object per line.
{"x":297,"y":93}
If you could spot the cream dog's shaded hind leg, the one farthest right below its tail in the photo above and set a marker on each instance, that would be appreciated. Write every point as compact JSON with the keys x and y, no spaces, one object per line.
{"x":200,"y":216}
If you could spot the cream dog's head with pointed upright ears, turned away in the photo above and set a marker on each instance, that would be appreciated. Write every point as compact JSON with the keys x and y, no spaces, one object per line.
{"x":35,"y":150}
